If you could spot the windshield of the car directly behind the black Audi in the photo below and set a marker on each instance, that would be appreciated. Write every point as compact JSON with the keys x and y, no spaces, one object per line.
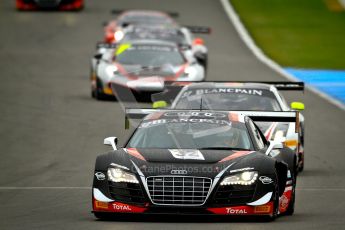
{"x":229,"y":99}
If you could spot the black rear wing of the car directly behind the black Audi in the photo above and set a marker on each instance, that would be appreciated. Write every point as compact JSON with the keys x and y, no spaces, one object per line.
{"x":172,"y":89}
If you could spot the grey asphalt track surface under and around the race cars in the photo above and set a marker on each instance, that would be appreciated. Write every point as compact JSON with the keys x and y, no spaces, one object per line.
{"x":51,"y":130}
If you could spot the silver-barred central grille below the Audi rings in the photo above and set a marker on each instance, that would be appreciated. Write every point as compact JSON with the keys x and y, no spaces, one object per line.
{"x":178,"y":190}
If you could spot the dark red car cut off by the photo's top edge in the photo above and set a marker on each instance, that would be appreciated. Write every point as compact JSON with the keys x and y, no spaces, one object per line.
{"x":49,"y":4}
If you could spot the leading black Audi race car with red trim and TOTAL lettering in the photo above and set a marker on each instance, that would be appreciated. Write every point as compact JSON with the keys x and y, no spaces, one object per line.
{"x":196,"y":162}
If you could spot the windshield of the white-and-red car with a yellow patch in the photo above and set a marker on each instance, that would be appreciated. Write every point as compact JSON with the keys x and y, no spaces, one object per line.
{"x":150,"y":56}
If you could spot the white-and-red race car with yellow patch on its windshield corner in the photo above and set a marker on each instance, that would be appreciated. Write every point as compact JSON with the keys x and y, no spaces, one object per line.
{"x":142,"y":67}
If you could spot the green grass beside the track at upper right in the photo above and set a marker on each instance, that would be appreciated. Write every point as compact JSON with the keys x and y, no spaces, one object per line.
{"x":296,"y":33}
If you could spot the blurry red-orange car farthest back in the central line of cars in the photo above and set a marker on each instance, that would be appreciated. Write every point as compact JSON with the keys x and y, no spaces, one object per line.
{"x":113,"y":30}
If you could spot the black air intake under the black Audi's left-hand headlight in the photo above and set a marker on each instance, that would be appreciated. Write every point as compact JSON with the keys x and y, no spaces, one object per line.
{"x":127,"y":192}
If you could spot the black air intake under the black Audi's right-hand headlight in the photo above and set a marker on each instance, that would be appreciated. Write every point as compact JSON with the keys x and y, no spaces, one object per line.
{"x":234,"y":194}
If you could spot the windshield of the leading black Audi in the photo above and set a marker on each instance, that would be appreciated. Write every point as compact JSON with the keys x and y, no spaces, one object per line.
{"x":193,"y":134}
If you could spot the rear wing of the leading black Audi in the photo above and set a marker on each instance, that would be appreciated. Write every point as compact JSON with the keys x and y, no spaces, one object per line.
{"x":256,"y":116}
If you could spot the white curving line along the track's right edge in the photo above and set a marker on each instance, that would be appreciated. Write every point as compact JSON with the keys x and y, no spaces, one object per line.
{"x":244,"y":35}
